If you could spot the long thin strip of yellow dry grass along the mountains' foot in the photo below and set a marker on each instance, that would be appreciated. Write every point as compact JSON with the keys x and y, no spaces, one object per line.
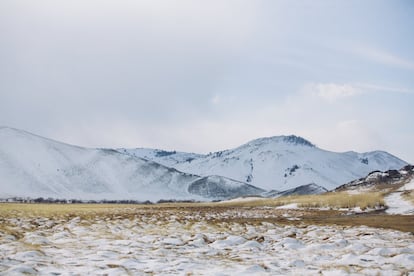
{"x":329,"y":200}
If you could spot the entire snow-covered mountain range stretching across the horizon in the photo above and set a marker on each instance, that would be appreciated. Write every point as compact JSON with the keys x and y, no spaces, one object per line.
{"x":34,"y":166}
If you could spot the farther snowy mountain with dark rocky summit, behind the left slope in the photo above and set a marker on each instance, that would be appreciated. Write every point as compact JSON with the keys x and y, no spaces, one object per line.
{"x":276,"y":163}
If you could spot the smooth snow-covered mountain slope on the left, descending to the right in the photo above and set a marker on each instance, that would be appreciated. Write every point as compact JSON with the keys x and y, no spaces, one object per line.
{"x":33,"y":166}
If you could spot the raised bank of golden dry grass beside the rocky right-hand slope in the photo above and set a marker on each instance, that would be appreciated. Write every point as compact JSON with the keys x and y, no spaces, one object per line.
{"x":328,"y":200}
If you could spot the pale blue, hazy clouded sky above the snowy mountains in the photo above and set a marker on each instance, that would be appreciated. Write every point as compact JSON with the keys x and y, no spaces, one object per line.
{"x":204,"y":76}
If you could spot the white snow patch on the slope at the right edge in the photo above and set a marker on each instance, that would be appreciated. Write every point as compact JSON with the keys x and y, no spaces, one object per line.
{"x":397,"y":204}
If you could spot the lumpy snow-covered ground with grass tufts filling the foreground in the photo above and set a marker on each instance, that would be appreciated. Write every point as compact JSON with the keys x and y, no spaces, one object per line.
{"x":185,"y":243}
